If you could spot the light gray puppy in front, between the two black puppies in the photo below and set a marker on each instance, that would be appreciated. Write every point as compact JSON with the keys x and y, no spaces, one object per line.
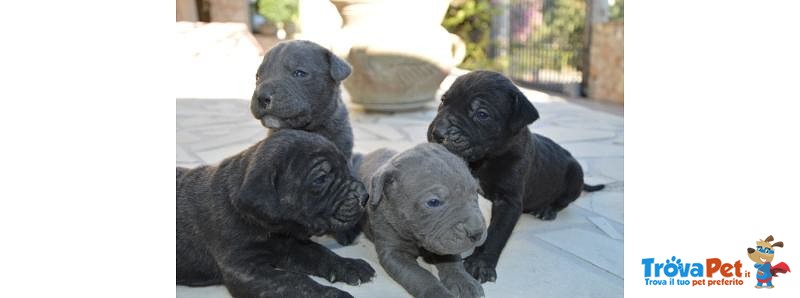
{"x":424,"y":203}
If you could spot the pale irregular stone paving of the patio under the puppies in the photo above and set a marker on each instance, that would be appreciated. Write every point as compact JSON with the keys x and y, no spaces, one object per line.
{"x":580,"y":254}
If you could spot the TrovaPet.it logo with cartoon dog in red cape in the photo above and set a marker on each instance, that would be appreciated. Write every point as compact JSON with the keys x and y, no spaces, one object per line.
{"x":714,"y":271}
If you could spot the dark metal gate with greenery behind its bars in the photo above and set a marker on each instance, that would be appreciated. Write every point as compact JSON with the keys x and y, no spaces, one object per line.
{"x":546,"y":44}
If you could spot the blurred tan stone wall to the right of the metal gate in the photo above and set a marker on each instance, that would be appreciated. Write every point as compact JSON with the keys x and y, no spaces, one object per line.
{"x":606,"y":69}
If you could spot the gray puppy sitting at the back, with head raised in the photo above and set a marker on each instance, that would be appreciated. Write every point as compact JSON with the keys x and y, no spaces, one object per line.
{"x":298,"y":87}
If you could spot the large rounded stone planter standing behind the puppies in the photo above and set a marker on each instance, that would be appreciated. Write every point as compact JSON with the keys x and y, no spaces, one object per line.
{"x":399,"y":51}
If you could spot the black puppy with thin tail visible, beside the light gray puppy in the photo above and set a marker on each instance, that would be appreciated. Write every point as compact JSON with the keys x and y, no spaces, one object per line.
{"x":484,"y":119}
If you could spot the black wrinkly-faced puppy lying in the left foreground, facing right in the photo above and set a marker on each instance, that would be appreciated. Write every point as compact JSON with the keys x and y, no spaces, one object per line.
{"x":246,"y":222}
